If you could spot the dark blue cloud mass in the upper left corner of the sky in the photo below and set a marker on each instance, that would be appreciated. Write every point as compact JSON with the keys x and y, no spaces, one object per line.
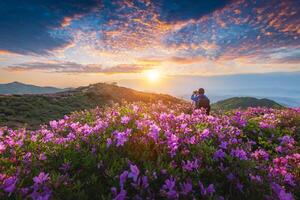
{"x":25,"y":26}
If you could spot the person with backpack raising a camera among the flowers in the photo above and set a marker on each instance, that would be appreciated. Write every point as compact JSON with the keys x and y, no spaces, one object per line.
{"x":201,"y":100}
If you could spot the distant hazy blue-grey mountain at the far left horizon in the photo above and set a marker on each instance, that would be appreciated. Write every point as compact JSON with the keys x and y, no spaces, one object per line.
{"x":21,"y":88}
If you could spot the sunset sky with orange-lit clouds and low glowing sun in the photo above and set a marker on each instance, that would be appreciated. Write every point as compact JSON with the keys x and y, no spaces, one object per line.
{"x":76,"y":42}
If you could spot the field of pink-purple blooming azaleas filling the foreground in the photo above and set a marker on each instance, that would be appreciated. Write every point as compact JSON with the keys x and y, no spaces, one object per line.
{"x":155,"y":151}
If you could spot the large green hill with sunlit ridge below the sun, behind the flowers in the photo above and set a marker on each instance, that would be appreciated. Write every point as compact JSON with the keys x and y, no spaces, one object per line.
{"x":33,"y":110}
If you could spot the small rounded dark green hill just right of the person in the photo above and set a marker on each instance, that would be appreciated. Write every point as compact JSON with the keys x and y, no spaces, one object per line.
{"x":244,"y":102}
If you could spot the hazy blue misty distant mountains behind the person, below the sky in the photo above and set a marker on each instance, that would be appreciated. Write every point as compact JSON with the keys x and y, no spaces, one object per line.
{"x":280,"y":87}
